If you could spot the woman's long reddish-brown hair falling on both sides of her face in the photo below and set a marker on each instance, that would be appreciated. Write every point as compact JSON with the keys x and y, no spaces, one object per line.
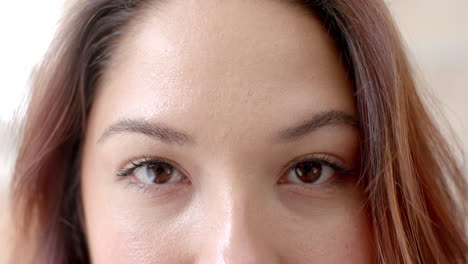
{"x":415,"y":191}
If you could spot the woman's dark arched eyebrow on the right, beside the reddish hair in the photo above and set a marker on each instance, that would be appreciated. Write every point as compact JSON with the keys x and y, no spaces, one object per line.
{"x":319,"y":120}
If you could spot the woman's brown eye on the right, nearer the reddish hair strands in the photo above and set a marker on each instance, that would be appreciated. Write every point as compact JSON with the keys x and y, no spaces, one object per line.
{"x":310,"y":172}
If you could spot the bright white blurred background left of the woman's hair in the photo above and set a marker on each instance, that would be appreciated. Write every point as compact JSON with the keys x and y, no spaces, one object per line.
{"x":27,"y":27}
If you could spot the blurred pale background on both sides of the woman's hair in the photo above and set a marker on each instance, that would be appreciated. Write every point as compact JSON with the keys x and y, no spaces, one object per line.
{"x":436,"y":33}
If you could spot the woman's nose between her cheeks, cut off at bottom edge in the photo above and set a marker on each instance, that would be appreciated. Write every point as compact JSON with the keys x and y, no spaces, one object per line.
{"x":238,"y":231}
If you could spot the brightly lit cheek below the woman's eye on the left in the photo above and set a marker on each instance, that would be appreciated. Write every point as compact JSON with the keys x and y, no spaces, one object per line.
{"x":128,"y":236}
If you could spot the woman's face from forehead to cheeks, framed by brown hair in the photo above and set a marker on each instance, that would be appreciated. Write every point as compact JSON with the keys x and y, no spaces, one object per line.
{"x":224,"y":132}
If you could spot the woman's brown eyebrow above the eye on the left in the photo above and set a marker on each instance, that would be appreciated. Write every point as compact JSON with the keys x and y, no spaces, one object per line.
{"x":154,"y":130}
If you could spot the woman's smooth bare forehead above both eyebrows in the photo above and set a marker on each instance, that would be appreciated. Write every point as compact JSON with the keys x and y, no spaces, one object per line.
{"x":218,"y":61}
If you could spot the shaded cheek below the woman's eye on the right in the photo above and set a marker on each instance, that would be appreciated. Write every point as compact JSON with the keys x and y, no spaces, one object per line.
{"x":334,"y":229}
